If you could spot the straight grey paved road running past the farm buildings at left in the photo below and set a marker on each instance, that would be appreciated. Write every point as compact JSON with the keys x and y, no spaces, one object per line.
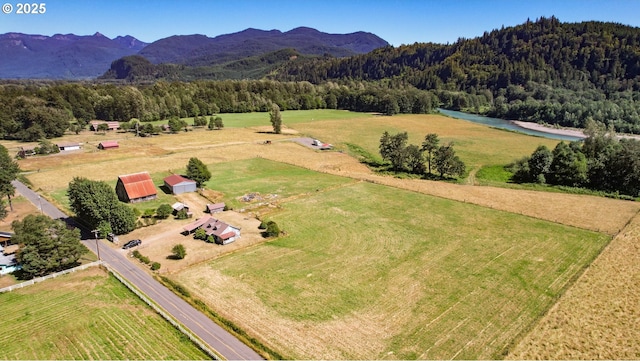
{"x":208,"y":331}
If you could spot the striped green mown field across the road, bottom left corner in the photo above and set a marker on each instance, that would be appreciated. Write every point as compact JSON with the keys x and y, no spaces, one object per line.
{"x":86,"y":315}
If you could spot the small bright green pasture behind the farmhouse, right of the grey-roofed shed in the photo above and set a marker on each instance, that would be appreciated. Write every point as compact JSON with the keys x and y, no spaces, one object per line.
{"x":258,"y":175}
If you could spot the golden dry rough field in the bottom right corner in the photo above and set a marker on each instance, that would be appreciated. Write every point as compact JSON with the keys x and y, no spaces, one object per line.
{"x":597,"y":319}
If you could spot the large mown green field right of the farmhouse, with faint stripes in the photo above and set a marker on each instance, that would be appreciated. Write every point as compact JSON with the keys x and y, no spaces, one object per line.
{"x":452,"y":280}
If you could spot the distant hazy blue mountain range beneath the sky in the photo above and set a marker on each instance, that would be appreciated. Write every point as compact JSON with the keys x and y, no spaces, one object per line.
{"x":72,"y":56}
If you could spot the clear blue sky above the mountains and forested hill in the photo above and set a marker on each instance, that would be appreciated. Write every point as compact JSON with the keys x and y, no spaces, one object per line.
{"x":396,"y":21}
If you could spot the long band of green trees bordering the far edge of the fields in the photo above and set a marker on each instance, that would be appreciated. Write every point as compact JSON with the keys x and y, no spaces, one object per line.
{"x":33,"y":111}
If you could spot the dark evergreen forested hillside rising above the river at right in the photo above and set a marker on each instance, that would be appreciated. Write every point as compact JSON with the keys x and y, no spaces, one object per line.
{"x":542,"y":71}
